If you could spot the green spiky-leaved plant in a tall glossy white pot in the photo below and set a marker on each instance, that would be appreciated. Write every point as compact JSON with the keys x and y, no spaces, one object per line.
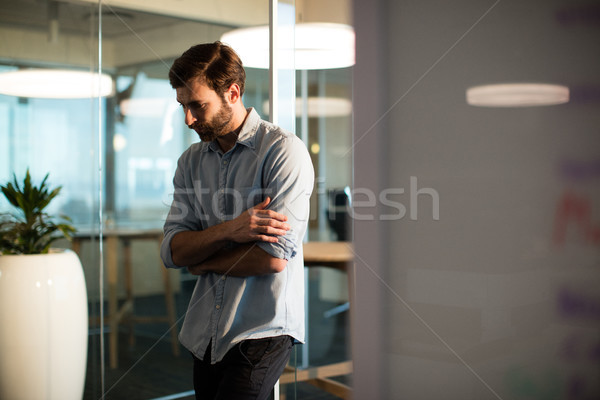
{"x":43,"y":300}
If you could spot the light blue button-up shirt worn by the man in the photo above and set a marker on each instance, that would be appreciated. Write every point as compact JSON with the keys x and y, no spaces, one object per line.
{"x":211,"y":187}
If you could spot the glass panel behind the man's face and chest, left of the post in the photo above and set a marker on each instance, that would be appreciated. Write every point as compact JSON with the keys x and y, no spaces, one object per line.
{"x":145,"y":135}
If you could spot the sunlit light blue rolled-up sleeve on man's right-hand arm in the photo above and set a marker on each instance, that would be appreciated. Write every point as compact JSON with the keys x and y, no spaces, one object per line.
{"x":289,"y":178}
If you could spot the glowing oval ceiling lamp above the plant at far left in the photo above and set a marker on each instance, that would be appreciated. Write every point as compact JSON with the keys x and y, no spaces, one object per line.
{"x":55,"y":84}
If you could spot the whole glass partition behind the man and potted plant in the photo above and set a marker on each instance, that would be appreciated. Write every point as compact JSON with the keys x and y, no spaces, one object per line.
{"x":115,"y":155}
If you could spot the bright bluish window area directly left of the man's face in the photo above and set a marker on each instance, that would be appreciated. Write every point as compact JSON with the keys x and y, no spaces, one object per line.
{"x":148,"y":137}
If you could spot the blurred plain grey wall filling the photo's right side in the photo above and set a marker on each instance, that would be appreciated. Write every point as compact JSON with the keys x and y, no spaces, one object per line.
{"x":487,"y":302}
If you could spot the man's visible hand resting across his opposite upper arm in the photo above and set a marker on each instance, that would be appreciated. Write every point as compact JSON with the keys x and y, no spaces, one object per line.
{"x":258,"y":224}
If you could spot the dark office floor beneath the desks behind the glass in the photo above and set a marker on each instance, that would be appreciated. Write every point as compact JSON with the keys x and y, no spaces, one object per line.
{"x":149,"y":370}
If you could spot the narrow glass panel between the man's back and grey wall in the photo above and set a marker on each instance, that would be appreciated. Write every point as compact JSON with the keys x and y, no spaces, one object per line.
{"x":323,"y":121}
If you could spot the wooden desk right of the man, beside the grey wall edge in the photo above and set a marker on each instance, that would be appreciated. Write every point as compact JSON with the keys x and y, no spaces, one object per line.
{"x":336,"y":255}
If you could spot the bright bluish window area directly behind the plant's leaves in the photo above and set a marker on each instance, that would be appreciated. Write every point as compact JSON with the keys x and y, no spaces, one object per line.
{"x":38,"y":134}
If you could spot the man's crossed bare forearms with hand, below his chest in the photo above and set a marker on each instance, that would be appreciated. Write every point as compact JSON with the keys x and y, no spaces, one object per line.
{"x":203,"y":251}
